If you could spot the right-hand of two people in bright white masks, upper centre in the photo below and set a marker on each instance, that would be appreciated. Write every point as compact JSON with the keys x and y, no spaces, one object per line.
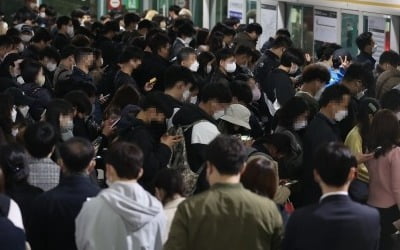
{"x":226,"y":66}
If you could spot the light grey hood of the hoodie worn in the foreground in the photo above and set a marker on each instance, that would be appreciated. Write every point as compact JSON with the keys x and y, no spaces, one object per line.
{"x":132,"y":203}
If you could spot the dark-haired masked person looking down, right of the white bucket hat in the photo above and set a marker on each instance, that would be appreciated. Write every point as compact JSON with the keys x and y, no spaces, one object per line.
{"x":292,"y":120}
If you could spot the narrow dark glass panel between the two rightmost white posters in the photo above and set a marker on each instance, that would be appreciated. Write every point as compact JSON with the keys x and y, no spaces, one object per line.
{"x":350,"y":33}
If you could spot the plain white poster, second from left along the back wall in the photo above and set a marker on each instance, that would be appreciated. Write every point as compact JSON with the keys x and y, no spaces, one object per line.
{"x":268,"y":22}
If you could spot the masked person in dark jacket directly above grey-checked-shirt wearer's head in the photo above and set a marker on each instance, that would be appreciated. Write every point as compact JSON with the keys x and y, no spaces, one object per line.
{"x":32,"y":73}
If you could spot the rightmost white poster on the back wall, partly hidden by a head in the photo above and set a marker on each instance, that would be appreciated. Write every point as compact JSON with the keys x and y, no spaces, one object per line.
{"x":376,"y":25}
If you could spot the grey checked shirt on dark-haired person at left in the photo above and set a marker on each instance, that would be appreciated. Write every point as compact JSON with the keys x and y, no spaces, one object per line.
{"x":43,"y":173}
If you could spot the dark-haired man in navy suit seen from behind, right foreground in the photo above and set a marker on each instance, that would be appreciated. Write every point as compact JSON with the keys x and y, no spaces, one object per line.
{"x":335,"y":222}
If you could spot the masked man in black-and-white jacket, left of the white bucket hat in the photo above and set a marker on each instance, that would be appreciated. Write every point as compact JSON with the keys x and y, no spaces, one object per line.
{"x":215,"y":97}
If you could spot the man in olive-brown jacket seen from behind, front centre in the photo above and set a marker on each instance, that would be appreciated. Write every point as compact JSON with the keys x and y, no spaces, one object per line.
{"x":227,"y":216}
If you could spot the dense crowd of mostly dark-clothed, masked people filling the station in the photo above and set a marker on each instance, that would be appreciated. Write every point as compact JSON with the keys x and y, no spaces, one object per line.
{"x":147,"y":132}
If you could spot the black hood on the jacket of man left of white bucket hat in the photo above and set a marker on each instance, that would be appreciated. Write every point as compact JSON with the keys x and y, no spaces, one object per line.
{"x":189,"y":114}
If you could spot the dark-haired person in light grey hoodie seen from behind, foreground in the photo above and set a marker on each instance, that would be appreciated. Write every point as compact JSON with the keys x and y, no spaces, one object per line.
{"x":123,"y":216}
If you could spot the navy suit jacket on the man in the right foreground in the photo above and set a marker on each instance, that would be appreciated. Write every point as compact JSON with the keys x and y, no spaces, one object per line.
{"x":334,"y":223}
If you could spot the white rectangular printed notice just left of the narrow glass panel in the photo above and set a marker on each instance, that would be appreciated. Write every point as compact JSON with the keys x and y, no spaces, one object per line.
{"x":325,"y":26}
